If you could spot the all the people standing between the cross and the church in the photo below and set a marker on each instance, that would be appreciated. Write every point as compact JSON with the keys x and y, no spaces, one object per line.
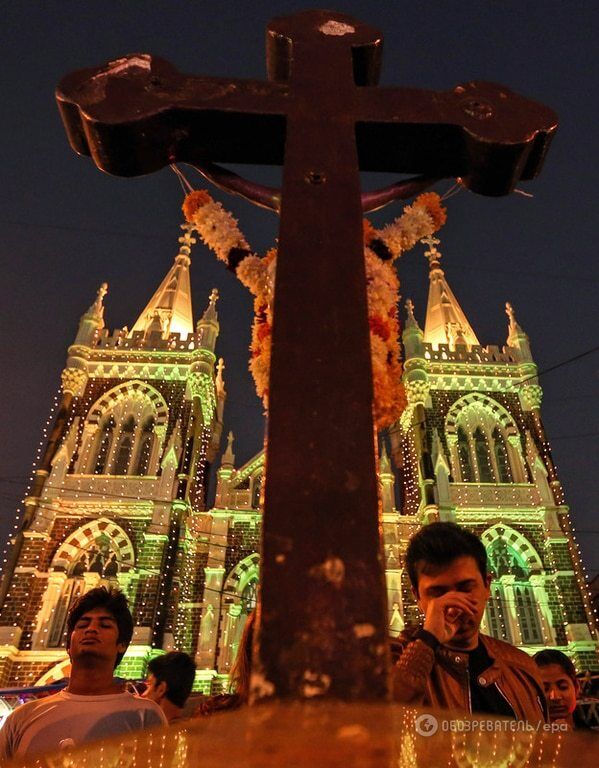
{"x":446,"y":663}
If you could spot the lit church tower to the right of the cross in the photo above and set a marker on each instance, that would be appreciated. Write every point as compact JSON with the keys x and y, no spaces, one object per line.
{"x":471,"y":448}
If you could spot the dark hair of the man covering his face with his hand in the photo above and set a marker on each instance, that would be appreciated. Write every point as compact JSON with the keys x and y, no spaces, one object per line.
{"x":437,"y":545}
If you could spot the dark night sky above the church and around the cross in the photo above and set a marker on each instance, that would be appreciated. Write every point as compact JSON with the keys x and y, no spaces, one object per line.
{"x":66,"y":227}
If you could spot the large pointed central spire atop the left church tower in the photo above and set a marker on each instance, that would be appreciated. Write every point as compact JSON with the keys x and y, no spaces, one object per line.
{"x":169,"y":309}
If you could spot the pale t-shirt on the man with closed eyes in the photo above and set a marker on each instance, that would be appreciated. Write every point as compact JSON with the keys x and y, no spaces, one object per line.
{"x":66,"y":720}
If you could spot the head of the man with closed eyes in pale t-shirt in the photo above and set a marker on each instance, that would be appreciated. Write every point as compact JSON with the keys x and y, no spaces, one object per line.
{"x":99,"y":626}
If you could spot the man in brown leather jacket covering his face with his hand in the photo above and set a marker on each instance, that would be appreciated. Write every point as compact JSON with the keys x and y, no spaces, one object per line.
{"x":448,"y":663}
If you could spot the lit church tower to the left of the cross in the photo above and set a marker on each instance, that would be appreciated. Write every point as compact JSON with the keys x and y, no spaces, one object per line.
{"x":121,"y":483}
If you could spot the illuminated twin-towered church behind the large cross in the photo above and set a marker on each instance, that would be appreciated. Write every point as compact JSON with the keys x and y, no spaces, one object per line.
{"x":120,"y":495}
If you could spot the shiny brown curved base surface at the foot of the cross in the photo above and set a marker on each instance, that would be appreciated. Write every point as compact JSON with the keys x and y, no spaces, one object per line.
{"x":336,"y":735}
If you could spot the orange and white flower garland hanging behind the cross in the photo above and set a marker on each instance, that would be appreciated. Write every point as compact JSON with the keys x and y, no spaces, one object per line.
{"x":219,"y":231}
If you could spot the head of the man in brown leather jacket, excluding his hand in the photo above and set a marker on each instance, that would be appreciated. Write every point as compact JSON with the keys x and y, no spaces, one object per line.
{"x":441,"y":558}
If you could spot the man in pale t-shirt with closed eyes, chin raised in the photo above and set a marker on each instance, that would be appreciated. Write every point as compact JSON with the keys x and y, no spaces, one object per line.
{"x":94,"y":705}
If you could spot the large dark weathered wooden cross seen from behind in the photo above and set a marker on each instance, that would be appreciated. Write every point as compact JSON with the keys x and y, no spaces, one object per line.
{"x":323,"y":621}
